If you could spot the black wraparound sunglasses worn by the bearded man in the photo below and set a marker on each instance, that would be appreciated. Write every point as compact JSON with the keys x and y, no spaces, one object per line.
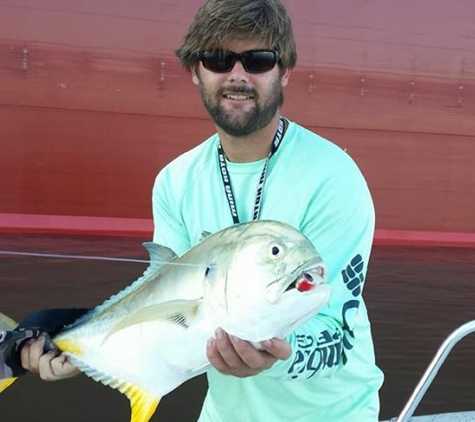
{"x":253,"y":61}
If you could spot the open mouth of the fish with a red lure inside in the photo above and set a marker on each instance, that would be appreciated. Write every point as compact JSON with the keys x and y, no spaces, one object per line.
{"x":304,"y":278}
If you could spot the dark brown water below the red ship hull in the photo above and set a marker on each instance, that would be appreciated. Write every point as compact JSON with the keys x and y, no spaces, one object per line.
{"x":416,"y":297}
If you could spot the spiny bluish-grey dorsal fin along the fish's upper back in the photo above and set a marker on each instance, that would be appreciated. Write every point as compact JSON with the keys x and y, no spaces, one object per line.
{"x":160,"y":256}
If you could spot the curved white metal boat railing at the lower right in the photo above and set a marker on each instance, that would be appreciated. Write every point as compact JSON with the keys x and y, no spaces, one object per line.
{"x":432,"y":370}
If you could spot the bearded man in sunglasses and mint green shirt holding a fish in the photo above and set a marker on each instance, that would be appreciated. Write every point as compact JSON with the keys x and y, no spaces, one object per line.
{"x":259,"y":165}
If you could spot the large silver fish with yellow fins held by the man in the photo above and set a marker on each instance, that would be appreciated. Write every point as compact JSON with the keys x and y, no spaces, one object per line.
{"x":257,"y":280}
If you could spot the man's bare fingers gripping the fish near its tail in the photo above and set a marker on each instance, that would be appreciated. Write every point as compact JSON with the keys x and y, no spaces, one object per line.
{"x":49,"y":366}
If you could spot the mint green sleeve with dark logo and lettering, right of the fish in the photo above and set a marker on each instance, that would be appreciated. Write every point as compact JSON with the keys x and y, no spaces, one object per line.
{"x":340,"y":222}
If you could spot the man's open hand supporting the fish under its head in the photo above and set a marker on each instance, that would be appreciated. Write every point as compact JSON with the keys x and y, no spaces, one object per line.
{"x":240,"y":358}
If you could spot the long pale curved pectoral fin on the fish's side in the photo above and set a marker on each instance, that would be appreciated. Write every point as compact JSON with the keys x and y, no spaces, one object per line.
{"x":178,"y":312}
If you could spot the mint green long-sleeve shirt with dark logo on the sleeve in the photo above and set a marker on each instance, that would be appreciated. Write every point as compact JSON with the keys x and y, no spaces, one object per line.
{"x":316,"y":187}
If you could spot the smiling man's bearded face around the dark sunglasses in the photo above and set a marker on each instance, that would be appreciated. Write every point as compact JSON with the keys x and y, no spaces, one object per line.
{"x":241,"y":103}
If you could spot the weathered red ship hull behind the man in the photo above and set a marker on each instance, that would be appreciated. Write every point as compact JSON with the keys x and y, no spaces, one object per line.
{"x":93,"y":103}
